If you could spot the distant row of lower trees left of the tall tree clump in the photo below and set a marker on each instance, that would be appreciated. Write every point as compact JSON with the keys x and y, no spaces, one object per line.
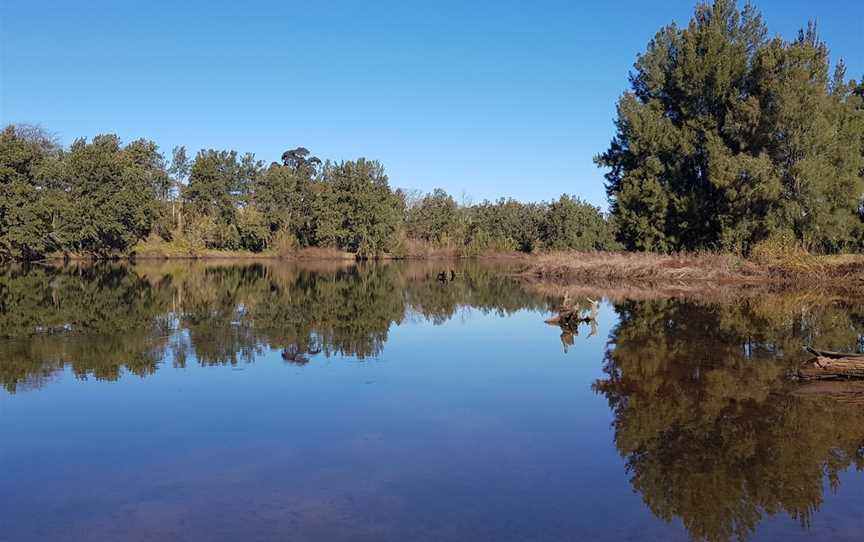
{"x":102,"y":197}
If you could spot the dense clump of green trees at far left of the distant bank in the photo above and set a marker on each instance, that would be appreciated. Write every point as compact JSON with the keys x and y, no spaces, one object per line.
{"x":96,"y":198}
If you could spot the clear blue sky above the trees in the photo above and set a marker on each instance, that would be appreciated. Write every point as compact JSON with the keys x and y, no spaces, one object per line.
{"x":487,"y":97}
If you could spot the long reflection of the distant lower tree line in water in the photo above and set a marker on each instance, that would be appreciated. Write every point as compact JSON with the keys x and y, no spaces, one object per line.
{"x":103,"y":320}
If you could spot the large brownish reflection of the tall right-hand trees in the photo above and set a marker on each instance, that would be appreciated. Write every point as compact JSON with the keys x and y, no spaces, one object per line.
{"x":711,"y":430}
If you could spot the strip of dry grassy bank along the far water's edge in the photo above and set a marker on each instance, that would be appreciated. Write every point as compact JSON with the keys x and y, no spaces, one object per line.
{"x":605,"y":270}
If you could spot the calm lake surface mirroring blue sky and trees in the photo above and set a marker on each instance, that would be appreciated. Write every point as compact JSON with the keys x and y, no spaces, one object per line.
{"x":187,"y":402}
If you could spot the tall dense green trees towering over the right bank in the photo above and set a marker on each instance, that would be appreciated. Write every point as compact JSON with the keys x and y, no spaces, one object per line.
{"x":727,"y":138}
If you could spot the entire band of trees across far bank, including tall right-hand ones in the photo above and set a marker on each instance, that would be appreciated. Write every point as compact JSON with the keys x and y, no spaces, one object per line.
{"x":726,"y":140}
